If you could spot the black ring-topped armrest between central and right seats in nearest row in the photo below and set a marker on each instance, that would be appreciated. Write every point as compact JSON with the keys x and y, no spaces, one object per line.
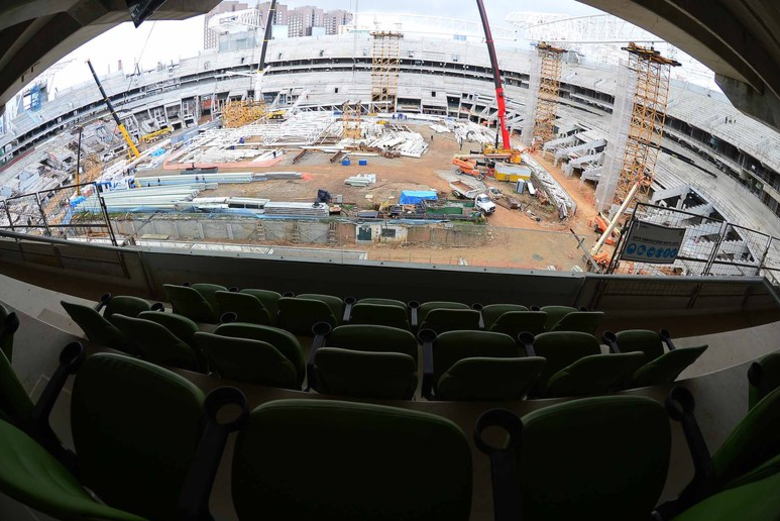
{"x":503,"y":462}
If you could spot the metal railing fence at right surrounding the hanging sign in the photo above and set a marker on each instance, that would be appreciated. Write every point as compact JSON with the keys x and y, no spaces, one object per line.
{"x":710,"y":247}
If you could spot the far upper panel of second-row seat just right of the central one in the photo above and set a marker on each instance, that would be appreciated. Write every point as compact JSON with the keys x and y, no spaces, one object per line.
{"x":453,"y":346}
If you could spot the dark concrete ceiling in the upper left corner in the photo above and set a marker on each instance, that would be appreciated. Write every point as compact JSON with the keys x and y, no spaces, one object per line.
{"x":35,"y":34}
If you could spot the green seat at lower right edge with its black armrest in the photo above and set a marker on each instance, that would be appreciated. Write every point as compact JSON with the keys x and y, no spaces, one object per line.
{"x":751,"y":450}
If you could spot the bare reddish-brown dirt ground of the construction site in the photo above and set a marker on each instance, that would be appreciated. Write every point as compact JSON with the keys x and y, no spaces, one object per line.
{"x":518,"y":238}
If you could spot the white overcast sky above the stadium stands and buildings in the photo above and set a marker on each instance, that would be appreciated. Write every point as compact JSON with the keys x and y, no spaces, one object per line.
{"x":166,"y":41}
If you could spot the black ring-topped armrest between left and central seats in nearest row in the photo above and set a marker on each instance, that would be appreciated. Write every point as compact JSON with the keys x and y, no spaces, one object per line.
{"x":196,"y":491}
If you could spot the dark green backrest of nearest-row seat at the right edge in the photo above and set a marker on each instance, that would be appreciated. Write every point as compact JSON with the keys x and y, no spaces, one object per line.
{"x":755,"y":440}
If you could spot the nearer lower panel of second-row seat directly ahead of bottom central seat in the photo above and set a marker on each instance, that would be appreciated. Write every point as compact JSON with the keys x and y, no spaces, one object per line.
{"x":365,"y":374}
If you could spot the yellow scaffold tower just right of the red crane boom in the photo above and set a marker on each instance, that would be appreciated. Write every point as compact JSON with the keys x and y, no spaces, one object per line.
{"x":547,"y":98}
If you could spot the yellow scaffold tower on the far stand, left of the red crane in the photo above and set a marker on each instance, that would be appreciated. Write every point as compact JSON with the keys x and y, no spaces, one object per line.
{"x":386,"y":59}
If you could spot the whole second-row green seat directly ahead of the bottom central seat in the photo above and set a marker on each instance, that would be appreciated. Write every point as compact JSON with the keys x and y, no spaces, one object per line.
{"x":364,"y":361}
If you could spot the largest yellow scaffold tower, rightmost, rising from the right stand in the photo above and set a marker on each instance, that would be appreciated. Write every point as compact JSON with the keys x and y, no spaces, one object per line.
{"x":651,"y":96}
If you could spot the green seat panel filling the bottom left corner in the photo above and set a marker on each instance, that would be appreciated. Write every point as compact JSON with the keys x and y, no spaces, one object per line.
{"x":33,"y":477}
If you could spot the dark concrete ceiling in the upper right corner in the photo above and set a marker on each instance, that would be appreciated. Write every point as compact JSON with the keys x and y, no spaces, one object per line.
{"x":738,"y":39}
